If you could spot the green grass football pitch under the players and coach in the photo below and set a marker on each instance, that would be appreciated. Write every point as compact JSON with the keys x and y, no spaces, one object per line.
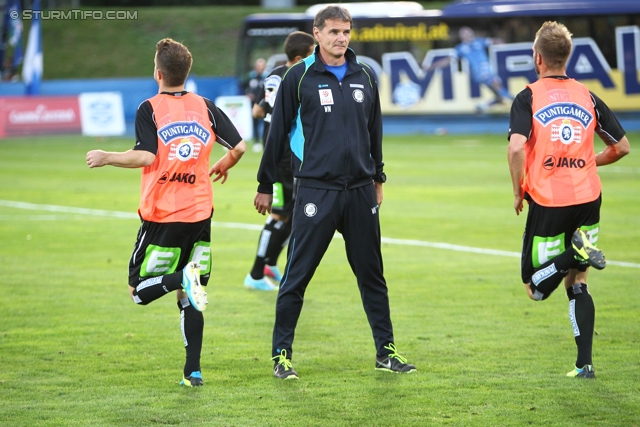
{"x":75,"y":351}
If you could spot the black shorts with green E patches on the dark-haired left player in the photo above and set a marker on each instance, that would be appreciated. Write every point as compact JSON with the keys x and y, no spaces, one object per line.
{"x":164,"y":248}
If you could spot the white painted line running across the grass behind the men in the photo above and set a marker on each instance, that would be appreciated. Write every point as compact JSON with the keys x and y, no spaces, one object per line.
{"x":253,"y":227}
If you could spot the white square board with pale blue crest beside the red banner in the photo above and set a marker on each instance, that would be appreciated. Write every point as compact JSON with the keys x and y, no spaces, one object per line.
{"x":102,"y":114}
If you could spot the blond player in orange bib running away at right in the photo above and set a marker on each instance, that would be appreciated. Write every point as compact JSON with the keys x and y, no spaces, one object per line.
{"x":553,"y":167}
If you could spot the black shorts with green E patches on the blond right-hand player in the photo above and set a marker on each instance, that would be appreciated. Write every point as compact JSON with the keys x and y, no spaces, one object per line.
{"x":548,"y":232}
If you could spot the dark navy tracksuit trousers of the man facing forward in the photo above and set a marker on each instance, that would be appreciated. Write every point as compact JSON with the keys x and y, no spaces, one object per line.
{"x":317,"y":214}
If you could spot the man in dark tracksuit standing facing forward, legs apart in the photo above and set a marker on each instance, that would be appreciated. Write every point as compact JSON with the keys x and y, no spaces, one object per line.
{"x":329,"y":106}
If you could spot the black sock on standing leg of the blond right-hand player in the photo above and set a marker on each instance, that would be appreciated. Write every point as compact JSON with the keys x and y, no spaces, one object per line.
{"x":582,"y":313}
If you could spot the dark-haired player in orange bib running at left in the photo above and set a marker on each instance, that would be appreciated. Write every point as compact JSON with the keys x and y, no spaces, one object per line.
{"x":175,"y":131}
